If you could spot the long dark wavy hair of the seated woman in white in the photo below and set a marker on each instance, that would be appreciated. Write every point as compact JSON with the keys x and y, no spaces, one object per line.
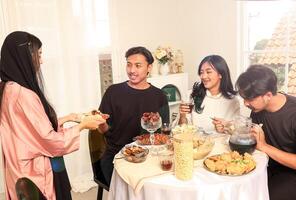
{"x":226,"y":88}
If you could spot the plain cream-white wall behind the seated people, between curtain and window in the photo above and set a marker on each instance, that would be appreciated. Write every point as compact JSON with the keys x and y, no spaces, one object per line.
{"x":197,"y":27}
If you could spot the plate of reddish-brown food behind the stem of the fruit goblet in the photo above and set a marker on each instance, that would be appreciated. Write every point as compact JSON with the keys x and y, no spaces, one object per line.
{"x":144,"y":139}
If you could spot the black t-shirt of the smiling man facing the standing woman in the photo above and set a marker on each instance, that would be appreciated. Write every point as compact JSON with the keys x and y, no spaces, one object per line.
{"x":126,"y":105}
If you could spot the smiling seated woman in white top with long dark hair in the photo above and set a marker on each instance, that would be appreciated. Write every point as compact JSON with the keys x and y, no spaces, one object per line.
{"x":214,"y":96}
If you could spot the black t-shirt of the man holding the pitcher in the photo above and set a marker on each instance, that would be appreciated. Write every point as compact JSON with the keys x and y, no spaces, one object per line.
{"x":279,"y":127}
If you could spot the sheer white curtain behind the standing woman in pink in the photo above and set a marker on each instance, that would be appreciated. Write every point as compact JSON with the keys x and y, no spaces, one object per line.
{"x":70,"y":69}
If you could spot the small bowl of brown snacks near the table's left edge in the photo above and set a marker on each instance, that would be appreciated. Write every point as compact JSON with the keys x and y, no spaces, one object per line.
{"x":134,"y":153}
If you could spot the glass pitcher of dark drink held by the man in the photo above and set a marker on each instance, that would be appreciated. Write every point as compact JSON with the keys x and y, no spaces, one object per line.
{"x":242,"y":140}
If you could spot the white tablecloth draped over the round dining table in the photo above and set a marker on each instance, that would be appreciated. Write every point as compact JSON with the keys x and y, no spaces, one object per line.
{"x":204,"y":184}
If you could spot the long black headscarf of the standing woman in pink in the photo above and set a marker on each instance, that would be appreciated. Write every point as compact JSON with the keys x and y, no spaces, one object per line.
{"x":20,"y":63}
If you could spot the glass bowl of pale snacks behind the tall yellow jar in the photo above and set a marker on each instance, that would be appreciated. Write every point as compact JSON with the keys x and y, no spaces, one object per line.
{"x":202,"y":146}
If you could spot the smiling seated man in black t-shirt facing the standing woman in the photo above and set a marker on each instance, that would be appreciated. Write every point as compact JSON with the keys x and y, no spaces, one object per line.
{"x":126,"y":102}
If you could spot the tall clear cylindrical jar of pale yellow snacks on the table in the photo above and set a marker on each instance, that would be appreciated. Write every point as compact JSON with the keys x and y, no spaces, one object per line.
{"x":183,"y":150}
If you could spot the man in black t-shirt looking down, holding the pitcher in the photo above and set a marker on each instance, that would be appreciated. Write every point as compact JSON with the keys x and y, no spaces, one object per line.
{"x":277,"y":138}
